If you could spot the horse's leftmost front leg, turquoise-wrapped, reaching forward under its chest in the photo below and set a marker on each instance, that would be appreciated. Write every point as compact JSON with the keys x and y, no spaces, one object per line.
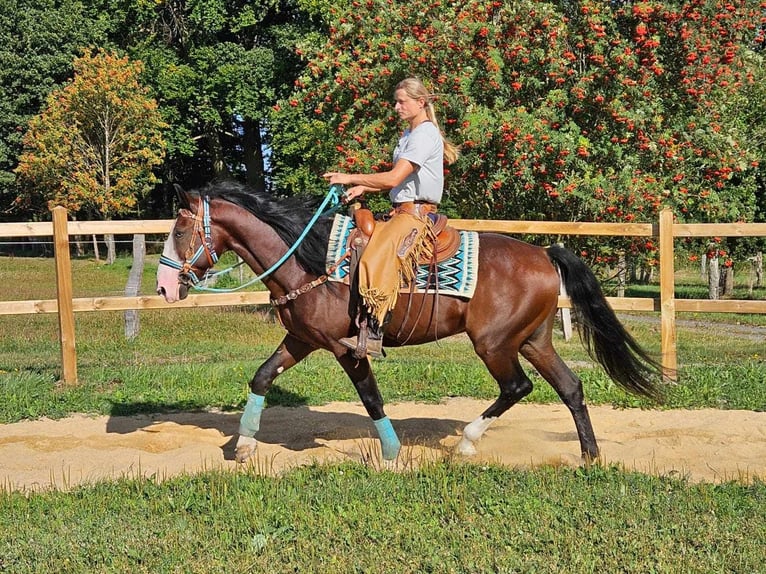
{"x":290,"y":352}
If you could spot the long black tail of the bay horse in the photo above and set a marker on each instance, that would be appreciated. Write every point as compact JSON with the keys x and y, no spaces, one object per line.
{"x":602,"y":333}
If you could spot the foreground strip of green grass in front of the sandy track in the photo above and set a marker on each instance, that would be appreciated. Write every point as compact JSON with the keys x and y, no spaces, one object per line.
{"x":444,"y":517}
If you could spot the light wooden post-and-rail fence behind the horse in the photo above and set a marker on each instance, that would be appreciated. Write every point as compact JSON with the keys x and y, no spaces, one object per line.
{"x":665,"y":230}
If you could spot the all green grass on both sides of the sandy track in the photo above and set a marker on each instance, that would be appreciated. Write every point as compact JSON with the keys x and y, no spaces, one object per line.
{"x":449,"y":516}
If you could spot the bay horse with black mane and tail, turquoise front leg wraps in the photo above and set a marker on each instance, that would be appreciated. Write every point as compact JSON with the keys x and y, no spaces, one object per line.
{"x":510,"y":314}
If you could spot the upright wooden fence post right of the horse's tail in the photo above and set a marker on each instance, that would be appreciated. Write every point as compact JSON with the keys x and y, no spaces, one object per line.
{"x":667,"y":295}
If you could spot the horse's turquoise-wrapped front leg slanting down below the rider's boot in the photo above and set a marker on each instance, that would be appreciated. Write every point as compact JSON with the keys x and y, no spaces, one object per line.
{"x":361,"y":375}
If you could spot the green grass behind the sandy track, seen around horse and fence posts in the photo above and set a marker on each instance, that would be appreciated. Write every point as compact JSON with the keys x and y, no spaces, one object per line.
{"x":181,"y":361}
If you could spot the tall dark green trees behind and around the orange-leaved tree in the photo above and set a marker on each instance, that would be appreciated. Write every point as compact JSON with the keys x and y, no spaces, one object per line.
{"x":215,"y":67}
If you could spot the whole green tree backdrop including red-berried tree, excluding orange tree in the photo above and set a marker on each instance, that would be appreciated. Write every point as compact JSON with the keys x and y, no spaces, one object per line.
{"x":588,"y":110}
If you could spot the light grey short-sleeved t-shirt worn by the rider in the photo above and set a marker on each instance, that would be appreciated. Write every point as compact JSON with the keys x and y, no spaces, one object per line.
{"x":424,"y":147}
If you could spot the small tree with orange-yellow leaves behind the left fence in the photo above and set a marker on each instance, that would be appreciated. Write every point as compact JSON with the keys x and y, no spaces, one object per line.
{"x":93,"y":149}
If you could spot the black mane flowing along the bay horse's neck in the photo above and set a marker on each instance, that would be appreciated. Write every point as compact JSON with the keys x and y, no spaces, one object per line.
{"x":287,"y":216}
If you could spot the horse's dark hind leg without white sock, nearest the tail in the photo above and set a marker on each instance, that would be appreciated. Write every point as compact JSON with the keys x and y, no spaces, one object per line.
{"x":546,"y":360}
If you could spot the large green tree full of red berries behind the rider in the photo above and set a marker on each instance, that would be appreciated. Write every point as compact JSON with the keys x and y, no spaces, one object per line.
{"x":564,"y":111}
